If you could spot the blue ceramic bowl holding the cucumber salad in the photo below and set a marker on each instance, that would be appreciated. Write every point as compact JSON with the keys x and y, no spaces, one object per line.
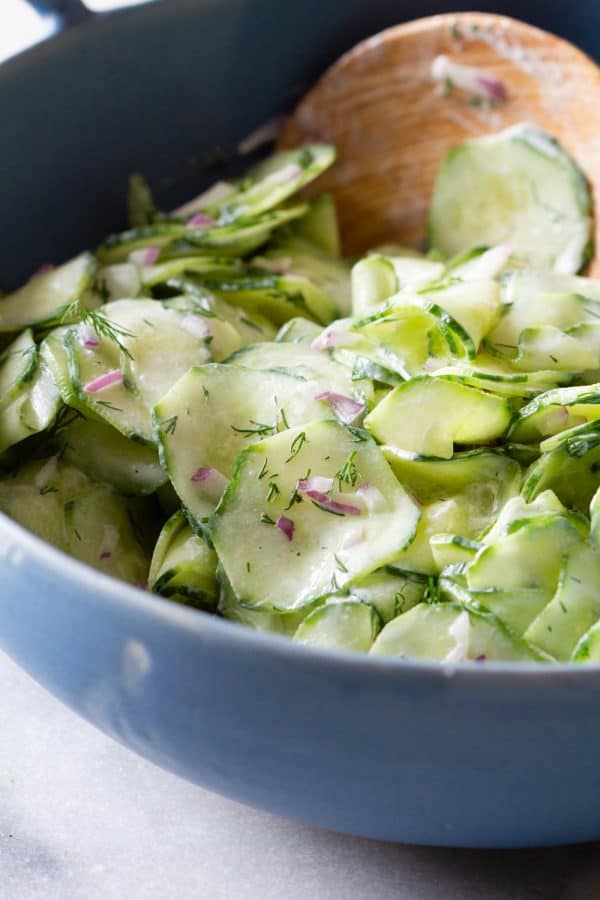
{"x":483,"y":756}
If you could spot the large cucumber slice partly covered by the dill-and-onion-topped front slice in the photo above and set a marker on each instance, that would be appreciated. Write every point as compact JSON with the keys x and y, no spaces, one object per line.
{"x":215,"y":411}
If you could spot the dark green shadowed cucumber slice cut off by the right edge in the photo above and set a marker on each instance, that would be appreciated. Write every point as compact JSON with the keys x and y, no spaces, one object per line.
{"x":568,"y":466}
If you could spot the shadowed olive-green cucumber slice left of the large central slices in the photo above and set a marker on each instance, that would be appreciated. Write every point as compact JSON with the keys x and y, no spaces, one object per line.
{"x":105,"y":454}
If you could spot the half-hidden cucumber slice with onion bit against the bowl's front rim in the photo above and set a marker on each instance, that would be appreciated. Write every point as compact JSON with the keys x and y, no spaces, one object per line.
{"x":451,"y":633}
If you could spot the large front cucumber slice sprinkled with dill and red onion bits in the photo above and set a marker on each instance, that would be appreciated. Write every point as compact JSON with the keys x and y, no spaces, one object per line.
{"x":321,"y":544}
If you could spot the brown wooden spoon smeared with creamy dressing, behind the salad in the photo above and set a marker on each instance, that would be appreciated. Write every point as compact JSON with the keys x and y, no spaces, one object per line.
{"x":392,"y":123}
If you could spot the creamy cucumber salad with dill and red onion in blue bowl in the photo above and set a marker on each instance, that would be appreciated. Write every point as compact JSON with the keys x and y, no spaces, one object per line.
{"x":396,"y":455}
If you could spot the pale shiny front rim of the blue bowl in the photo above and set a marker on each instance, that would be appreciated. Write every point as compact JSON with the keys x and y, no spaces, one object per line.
{"x":209,"y":626}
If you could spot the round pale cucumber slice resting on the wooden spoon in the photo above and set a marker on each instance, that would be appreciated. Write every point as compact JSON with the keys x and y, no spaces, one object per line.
{"x":518,"y":185}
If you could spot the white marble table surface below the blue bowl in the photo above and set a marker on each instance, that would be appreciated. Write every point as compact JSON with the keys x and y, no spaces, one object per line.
{"x":81,"y":818}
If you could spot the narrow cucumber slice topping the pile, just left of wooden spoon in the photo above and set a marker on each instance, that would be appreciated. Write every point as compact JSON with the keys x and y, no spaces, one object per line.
{"x":274,"y":181}
